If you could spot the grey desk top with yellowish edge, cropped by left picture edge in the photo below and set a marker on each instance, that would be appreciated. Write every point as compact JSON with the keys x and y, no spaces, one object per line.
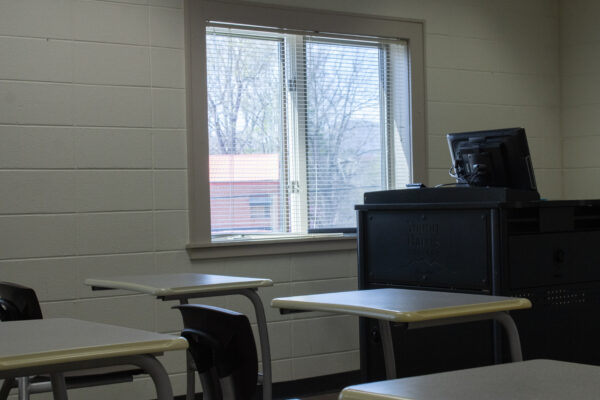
{"x":54,"y":341}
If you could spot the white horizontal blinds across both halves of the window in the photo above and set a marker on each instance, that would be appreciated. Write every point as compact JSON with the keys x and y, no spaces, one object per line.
{"x":300,"y":126}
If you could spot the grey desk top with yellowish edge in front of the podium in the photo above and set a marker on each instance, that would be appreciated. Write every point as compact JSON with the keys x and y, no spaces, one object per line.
{"x":402,"y":305}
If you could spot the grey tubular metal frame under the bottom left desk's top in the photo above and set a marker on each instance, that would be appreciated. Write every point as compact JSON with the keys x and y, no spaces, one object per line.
{"x":146,"y":362}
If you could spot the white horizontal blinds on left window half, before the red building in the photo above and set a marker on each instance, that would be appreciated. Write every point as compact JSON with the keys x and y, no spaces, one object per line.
{"x":245,"y":126}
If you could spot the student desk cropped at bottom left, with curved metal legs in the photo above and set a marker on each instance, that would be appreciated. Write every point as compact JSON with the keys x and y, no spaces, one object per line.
{"x":53,"y":346}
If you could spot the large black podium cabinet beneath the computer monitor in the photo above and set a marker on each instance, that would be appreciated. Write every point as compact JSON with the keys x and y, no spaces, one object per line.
{"x":483,"y":240}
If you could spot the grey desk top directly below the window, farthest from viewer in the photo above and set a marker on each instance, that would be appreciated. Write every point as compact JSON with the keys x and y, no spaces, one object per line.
{"x":178,"y":283}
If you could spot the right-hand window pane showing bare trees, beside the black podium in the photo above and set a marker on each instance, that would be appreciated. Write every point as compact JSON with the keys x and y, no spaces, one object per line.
{"x":345,"y":130}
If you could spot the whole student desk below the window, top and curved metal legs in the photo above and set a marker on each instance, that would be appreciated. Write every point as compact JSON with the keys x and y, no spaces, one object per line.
{"x":185,"y":286}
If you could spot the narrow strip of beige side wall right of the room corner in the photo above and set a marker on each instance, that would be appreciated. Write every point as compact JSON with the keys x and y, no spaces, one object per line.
{"x":580,"y":97}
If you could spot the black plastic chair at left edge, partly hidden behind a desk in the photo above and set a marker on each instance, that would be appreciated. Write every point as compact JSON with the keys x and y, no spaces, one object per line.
{"x":18,"y":303}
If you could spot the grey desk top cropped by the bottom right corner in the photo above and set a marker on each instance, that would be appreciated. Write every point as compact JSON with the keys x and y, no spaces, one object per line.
{"x":531,"y":380}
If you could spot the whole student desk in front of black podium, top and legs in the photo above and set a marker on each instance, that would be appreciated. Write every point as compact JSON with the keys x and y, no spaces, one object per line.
{"x":414,"y":309}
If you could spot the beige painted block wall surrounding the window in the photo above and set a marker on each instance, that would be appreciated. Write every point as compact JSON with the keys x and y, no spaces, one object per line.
{"x":93,"y":154}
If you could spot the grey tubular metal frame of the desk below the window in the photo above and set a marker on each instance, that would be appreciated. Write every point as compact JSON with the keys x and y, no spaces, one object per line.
{"x":261,"y":320}
